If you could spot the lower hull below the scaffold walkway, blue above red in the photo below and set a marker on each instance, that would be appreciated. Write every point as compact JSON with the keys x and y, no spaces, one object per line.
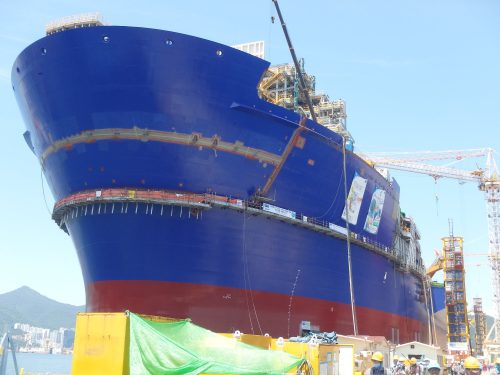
{"x":231,"y":270}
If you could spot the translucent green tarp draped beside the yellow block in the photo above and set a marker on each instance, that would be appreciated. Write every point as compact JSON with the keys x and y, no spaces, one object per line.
{"x":184,"y":348}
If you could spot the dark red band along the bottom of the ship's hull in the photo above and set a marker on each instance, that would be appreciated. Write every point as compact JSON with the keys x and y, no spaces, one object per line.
{"x":224,"y":309}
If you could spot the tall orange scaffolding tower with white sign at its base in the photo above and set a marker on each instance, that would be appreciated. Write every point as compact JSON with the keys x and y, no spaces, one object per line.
{"x":455,"y":297}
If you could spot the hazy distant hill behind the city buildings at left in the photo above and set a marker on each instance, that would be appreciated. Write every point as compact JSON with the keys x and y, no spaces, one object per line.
{"x":25,"y":305}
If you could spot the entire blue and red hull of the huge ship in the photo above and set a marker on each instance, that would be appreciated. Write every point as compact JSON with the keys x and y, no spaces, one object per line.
{"x":133,"y":108}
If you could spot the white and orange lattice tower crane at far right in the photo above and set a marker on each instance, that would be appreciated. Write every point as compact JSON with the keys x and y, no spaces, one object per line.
{"x":488,"y":181}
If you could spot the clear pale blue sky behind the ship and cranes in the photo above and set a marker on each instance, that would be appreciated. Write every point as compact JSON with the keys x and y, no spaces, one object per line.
{"x":416,"y":75}
